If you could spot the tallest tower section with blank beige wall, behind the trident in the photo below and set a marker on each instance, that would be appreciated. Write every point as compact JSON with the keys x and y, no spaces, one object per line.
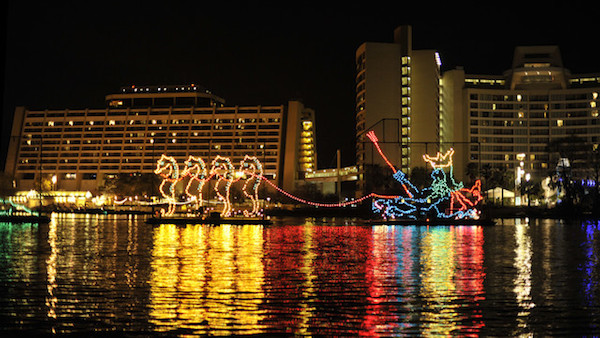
{"x":397,"y":96}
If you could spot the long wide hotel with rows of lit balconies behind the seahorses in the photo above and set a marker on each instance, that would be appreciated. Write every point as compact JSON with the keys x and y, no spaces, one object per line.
{"x":82,"y":148}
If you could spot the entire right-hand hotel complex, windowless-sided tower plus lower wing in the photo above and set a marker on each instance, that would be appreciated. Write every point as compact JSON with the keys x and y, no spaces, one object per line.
{"x":504,"y":121}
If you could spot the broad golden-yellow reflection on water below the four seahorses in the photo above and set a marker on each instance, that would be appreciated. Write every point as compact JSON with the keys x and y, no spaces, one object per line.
{"x":207,"y":279}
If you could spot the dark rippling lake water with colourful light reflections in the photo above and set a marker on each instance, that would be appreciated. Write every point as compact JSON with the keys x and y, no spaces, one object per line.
{"x":116,"y":274}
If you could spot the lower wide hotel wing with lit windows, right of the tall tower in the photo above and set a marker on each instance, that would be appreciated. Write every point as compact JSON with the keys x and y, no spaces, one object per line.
{"x":519,"y":119}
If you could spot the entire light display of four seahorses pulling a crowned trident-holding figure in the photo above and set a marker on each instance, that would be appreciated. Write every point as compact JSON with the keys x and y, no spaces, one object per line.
{"x":443,"y":198}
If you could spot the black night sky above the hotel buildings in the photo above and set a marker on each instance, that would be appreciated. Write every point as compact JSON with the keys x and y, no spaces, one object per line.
{"x":70,"y":54}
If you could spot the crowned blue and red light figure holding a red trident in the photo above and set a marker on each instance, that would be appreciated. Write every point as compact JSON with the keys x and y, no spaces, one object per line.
{"x":444,"y":198}
